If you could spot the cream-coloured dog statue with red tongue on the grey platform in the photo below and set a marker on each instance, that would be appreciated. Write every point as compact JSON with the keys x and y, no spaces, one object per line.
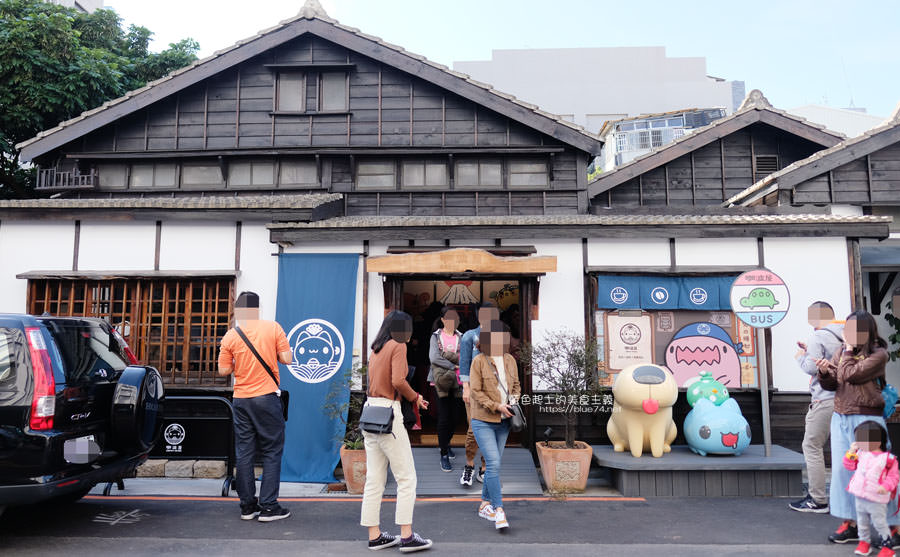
{"x":642,"y":413}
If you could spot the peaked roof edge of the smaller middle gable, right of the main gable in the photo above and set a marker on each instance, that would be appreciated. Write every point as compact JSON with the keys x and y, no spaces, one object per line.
{"x":755,"y":108}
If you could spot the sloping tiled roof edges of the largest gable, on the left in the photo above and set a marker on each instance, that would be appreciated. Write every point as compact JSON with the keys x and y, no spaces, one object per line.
{"x":286,"y":30}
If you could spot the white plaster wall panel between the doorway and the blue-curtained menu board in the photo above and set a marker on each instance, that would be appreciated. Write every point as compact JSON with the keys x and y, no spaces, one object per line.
{"x":561,"y":294}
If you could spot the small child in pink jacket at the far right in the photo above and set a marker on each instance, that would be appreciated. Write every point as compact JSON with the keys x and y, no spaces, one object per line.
{"x":875,"y":478}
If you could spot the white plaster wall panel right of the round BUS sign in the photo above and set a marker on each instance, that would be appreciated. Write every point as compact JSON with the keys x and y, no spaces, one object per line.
{"x":813,"y":269}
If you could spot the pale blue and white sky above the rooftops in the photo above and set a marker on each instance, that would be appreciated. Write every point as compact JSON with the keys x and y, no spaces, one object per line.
{"x":798,"y":52}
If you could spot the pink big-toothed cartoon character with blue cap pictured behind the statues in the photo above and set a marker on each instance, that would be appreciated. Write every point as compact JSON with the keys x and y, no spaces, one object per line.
{"x":704,"y":346}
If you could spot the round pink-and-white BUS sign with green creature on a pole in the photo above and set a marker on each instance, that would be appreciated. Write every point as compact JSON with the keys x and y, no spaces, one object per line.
{"x":760,"y":298}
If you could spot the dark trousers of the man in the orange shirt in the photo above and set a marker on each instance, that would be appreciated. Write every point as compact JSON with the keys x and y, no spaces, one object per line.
{"x":258,"y":423}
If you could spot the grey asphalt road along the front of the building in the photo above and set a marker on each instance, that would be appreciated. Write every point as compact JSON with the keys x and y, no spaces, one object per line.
{"x":329,"y":526}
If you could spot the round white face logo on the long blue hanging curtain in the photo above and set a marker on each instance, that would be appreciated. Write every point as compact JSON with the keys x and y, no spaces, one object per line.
{"x":318,"y":349}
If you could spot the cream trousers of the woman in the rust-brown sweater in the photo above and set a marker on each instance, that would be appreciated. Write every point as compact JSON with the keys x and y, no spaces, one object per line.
{"x":383,"y":450}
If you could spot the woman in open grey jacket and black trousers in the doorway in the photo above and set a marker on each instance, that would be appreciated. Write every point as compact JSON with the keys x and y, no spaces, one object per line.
{"x":444,"y":356}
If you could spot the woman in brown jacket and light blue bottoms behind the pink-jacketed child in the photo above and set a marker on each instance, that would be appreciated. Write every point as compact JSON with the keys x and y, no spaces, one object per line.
{"x":856,"y":374}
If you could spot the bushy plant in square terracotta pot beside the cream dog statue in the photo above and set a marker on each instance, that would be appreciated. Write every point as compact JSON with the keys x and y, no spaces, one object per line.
{"x":567,"y":364}
